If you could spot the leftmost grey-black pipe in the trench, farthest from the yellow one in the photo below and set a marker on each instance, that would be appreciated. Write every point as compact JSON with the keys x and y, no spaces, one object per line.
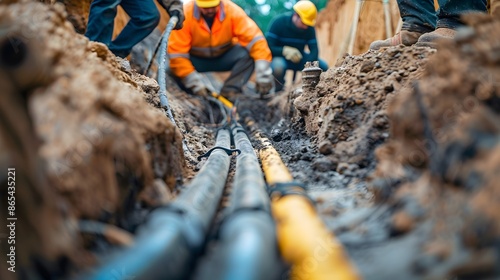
{"x":168,"y":244}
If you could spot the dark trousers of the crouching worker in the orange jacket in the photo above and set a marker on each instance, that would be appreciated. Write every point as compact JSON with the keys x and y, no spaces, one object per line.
{"x":237,"y":60}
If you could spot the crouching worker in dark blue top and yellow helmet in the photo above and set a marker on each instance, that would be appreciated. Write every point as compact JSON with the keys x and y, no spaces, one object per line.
{"x":288,"y":36}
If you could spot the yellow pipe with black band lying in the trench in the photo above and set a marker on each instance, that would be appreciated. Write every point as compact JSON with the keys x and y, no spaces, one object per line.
{"x":303,"y":240}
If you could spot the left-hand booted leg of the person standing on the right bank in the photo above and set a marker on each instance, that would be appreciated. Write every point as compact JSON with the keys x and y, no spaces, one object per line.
{"x":418,"y":17}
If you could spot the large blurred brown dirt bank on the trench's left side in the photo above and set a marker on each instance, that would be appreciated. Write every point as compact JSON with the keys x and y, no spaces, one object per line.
{"x":102,"y":149}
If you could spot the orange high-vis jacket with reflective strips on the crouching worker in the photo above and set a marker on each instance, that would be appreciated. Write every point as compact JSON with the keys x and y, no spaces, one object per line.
{"x":231,"y":26}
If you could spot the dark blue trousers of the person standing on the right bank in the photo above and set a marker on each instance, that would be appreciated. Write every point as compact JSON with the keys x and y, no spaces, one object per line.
{"x":420,"y":15}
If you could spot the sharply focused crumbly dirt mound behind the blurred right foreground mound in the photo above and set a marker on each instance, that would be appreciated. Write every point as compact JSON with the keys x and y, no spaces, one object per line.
{"x":346,"y":111}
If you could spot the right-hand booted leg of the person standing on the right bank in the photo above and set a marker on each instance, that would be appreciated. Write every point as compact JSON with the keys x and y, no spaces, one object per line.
{"x":449,"y":20}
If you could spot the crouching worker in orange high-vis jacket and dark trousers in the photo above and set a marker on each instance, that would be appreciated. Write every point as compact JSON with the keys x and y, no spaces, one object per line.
{"x":218,"y":36}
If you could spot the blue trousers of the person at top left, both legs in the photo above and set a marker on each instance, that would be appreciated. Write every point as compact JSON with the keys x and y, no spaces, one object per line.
{"x":144,"y":18}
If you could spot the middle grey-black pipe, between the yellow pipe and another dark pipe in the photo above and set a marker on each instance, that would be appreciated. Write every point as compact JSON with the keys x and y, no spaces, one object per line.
{"x":247,"y":247}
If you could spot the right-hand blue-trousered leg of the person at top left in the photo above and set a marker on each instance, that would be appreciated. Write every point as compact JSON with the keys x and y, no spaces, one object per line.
{"x":144,"y":18}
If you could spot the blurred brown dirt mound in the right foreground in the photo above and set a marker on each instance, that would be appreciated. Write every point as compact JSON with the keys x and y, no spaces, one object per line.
{"x":443,"y":156}
